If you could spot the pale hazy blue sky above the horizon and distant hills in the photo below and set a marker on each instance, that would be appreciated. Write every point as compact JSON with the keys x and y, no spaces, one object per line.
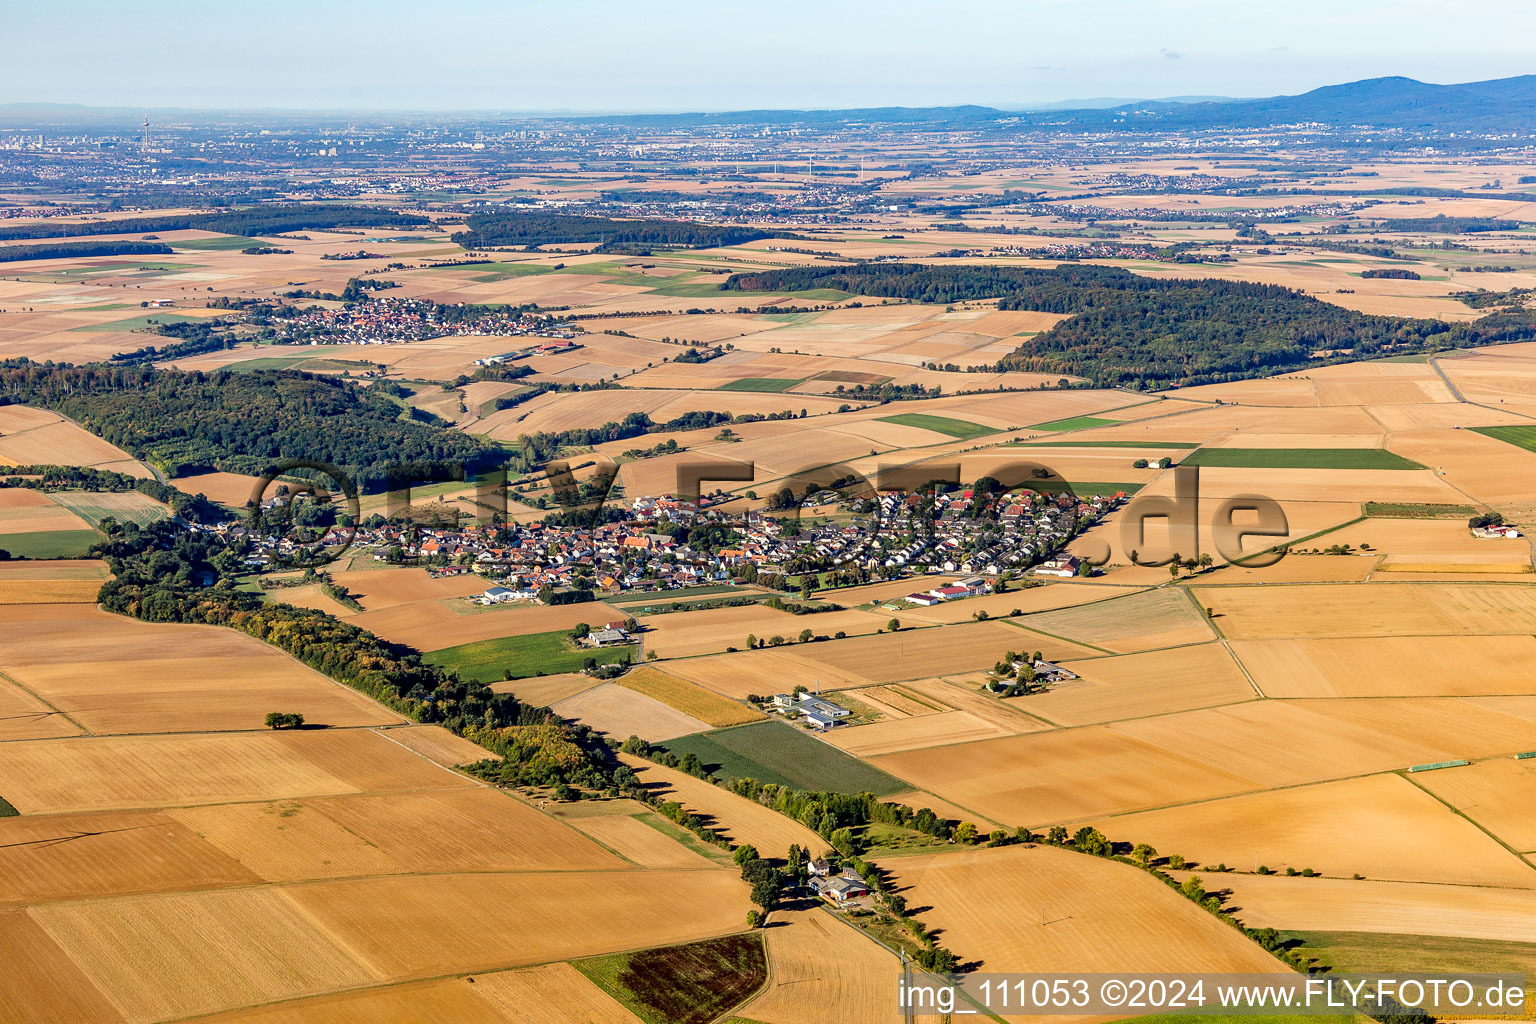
{"x":723,"y":55}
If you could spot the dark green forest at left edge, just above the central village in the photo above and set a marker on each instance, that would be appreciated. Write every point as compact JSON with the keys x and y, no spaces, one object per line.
{"x":239,"y":423}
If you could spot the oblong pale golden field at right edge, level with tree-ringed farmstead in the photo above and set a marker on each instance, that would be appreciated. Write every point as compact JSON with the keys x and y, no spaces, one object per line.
{"x":1392,"y":667}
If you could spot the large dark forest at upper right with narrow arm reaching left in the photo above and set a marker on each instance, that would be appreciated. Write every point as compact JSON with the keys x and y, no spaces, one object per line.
{"x":1153,"y":332}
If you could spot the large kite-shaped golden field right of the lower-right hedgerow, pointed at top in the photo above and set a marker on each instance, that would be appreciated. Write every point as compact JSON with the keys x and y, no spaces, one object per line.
{"x":1395,"y":831}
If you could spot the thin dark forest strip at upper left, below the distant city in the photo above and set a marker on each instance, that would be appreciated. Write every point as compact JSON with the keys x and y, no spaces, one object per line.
{"x":256,"y":220}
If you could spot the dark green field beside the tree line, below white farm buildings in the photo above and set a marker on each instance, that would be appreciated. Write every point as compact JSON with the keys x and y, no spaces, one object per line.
{"x":778,"y":753}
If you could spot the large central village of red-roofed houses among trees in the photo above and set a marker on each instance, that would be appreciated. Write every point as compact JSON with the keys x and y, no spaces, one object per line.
{"x":661,"y":544}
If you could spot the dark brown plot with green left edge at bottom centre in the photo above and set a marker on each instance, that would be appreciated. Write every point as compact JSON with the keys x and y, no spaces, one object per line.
{"x":683,"y":985}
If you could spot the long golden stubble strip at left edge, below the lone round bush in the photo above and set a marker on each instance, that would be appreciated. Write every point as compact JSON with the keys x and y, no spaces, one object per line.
{"x":167,"y":771}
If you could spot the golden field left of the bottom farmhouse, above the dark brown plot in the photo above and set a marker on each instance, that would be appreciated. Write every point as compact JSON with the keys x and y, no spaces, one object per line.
{"x":462,"y":923}
